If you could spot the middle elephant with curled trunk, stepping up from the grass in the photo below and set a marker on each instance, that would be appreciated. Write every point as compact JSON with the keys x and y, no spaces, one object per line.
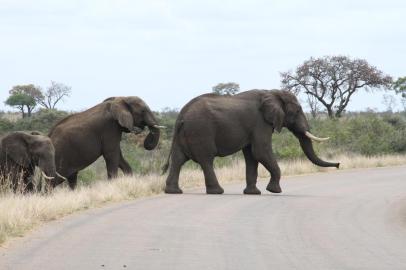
{"x":80,"y":139}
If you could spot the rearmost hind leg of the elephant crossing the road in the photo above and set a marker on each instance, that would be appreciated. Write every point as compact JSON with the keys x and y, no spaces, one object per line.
{"x":178,"y":158}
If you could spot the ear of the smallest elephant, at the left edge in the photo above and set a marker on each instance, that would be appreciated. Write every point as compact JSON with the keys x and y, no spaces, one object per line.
{"x":16,"y":148}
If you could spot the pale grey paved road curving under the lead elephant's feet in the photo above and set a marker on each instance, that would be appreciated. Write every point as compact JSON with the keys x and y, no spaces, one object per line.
{"x":341,"y":220}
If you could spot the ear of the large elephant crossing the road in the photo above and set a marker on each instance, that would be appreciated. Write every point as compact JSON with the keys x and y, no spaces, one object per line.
{"x":272,"y":110}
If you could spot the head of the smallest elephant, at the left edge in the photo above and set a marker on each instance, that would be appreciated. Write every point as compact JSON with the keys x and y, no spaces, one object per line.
{"x":29,"y":150}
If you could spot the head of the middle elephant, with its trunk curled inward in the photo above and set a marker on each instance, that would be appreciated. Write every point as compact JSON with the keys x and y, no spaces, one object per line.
{"x":132,"y":113}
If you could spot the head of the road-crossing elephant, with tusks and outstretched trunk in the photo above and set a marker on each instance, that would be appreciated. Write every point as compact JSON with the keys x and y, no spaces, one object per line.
{"x":282,"y":109}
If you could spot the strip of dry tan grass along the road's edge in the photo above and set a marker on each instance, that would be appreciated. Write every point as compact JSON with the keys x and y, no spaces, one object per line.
{"x":19,"y":213}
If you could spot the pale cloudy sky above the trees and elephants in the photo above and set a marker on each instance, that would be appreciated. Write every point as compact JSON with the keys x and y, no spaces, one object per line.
{"x":167,"y":52}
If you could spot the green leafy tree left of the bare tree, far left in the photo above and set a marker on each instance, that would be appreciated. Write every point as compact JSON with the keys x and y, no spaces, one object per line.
{"x":24,"y":97}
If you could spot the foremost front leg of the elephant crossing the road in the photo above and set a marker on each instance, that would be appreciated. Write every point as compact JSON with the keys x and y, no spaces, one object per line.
{"x":267,"y":158}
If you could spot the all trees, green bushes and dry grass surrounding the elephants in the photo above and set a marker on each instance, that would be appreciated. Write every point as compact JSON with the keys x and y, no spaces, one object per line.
{"x":357,"y":140}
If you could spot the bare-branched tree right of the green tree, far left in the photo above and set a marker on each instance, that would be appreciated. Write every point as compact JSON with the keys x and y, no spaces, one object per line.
{"x":55,"y":93}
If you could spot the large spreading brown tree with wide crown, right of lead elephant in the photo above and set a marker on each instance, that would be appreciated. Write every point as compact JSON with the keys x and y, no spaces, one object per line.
{"x":333,"y":80}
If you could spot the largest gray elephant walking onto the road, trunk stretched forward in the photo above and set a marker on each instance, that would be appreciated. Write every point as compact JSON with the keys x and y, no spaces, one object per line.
{"x":212,"y":125}
